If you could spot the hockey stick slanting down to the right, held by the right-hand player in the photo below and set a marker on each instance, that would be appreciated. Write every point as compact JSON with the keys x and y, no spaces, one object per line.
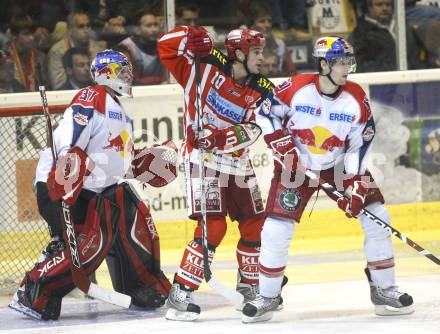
{"x":373,"y":217}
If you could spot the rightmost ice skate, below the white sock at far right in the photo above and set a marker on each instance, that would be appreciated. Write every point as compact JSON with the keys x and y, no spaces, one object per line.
{"x":389,"y":301}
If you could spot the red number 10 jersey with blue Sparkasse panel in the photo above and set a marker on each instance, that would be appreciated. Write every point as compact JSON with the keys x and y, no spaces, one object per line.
{"x":223,"y":102}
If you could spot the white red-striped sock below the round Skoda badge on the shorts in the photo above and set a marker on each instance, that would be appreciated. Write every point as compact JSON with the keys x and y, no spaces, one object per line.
{"x":275,"y":240}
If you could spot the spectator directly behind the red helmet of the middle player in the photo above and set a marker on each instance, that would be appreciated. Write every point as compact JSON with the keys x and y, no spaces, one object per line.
{"x":261,"y":20}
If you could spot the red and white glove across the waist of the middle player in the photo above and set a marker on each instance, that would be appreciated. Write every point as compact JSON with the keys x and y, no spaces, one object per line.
{"x":226,"y":140}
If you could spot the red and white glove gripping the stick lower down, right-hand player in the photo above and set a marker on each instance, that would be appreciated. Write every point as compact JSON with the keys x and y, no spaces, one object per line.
{"x":352,"y":207}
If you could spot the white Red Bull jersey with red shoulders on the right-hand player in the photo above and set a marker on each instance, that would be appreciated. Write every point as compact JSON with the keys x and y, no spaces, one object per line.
{"x":325,"y":129}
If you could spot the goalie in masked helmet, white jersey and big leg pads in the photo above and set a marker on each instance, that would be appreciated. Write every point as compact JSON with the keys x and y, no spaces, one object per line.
{"x":95,"y":152}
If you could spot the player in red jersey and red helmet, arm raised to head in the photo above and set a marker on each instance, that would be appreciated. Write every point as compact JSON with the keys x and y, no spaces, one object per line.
{"x":231,"y":87}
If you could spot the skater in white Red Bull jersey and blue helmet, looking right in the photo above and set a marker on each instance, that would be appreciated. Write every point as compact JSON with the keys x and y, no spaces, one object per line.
{"x":324,"y":122}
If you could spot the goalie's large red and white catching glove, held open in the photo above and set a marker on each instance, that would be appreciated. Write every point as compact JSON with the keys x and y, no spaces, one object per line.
{"x":156,"y":165}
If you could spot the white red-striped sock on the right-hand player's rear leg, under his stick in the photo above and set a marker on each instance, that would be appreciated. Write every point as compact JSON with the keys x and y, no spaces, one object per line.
{"x":378,"y":247}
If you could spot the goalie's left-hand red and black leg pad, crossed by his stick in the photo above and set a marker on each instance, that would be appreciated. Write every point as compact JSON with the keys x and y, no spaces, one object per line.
{"x":50,"y":280}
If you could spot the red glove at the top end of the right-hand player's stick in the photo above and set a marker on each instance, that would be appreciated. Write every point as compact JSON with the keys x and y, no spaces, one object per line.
{"x":284,"y":151}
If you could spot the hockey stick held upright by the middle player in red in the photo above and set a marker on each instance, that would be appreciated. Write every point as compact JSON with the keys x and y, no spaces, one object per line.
{"x":230,"y":294}
